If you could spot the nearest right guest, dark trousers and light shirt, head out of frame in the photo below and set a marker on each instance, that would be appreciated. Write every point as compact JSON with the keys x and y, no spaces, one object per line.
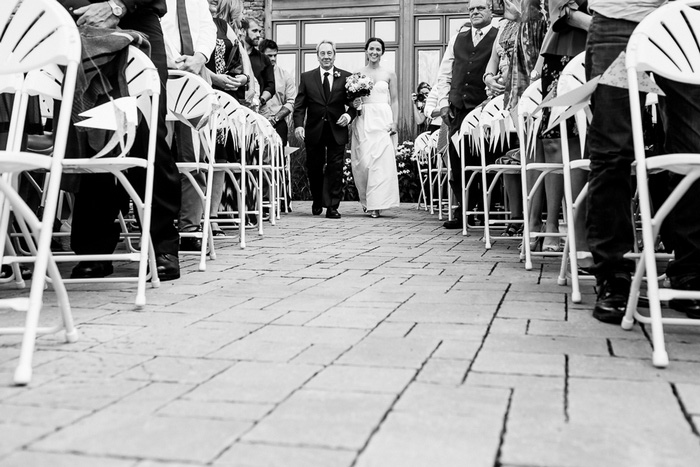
{"x":608,"y":221}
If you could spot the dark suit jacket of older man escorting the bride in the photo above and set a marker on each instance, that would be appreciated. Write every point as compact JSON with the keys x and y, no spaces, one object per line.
{"x":311,"y":103}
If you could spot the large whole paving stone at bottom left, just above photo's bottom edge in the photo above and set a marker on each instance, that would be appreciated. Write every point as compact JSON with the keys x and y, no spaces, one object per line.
{"x":138,"y":436}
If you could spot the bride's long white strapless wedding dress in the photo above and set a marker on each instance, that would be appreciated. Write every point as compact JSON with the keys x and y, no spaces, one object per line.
{"x":373,"y":152}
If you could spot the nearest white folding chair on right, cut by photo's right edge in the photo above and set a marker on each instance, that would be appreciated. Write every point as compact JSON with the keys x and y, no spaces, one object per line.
{"x":664,"y":43}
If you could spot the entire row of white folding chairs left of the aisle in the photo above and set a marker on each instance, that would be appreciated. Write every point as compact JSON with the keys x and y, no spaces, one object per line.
{"x":41,"y":51}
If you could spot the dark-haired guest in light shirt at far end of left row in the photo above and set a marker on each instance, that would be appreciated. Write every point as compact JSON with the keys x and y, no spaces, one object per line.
{"x":281,"y":104}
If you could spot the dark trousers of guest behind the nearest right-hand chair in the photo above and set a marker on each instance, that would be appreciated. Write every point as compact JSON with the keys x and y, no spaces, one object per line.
{"x":609,"y":222}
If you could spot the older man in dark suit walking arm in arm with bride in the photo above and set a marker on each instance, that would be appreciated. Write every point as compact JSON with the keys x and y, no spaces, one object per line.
{"x":323,"y":100}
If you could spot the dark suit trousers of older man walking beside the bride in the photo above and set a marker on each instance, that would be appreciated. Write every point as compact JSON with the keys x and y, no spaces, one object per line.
{"x":326,"y":185}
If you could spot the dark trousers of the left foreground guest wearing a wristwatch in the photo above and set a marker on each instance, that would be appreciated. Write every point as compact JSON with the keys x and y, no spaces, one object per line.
{"x":99,"y":199}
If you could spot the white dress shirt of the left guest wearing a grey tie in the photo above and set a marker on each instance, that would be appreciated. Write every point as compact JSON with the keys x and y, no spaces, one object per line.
{"x":202,"y":28}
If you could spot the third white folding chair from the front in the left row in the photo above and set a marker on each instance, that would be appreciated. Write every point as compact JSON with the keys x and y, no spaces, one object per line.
{"x":192,"y":102}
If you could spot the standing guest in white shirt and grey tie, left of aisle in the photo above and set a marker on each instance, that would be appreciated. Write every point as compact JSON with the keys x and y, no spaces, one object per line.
{"x":190,"y":39}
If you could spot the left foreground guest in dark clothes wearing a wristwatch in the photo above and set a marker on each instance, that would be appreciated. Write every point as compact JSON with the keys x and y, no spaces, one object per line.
{"x":98,"y":201}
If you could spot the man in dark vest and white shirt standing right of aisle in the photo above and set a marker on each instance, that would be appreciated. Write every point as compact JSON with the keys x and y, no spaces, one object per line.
{"x":460,"y":85}
